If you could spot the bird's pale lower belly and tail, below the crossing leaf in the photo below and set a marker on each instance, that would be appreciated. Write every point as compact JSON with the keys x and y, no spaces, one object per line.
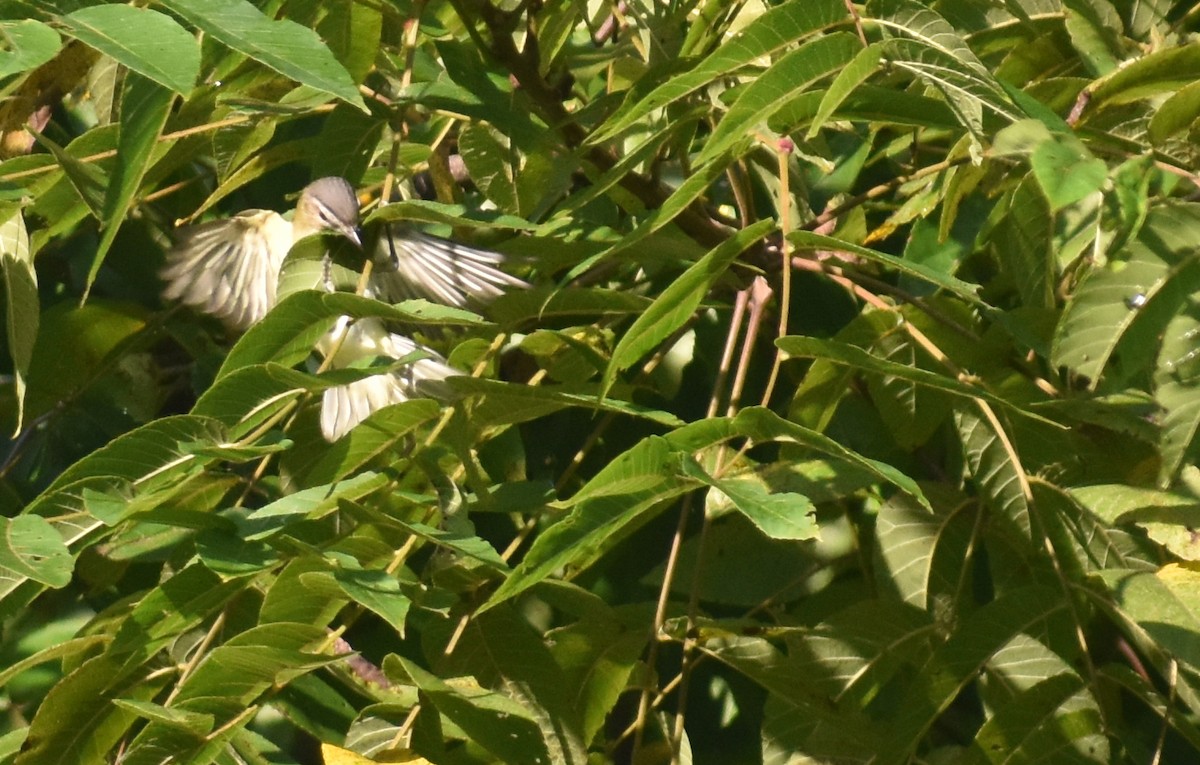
{"x":347,"y":406}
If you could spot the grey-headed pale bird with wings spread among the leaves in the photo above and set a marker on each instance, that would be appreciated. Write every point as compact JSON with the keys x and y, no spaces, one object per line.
{"x":230,"y":269}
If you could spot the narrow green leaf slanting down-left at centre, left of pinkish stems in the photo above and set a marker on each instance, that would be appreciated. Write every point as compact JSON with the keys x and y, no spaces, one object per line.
{"x":679,"y":302}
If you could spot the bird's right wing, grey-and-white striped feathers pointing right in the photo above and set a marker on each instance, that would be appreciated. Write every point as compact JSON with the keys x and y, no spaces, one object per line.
{"x":411,"y":264}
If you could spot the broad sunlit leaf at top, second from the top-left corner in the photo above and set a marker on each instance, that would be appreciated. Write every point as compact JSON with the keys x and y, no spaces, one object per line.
{"x":148,"y":43}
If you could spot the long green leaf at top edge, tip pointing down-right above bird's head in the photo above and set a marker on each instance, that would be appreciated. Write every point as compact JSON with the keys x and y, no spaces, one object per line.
{"x":286,"y":47}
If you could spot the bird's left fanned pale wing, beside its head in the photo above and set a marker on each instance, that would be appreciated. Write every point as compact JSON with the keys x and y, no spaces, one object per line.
{"x":230,"y":269}
